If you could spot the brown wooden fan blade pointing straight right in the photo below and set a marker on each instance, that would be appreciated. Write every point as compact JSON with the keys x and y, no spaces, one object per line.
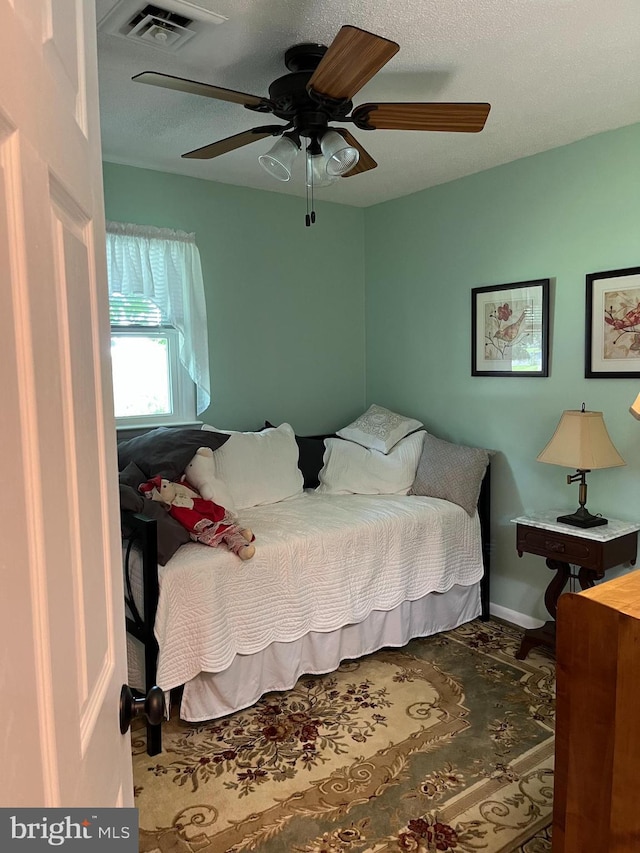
{"x":456,"y":118}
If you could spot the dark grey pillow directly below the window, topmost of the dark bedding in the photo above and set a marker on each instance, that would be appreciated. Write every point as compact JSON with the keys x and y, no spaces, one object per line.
{"x":166,"y":451}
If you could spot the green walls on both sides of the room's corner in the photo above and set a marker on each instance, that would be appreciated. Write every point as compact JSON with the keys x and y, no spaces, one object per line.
{"x":287,"y":314}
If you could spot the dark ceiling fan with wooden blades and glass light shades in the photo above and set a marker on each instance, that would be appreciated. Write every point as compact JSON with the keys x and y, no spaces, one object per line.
{"x":318,"y":90}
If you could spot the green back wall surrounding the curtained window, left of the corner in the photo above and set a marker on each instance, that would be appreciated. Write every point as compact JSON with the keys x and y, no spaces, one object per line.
{"x":285,"y":303}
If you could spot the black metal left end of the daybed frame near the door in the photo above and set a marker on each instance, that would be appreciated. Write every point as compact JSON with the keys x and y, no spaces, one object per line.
{"x":140,"y":531}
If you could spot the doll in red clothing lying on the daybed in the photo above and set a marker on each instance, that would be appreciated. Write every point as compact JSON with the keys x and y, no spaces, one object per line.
{"x":206,"y":521}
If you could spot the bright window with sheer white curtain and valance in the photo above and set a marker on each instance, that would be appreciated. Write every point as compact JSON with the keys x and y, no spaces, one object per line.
{"x":159,"y":352}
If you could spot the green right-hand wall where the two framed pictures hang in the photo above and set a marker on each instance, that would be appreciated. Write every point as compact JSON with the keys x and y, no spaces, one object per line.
{"x":557,"y":215}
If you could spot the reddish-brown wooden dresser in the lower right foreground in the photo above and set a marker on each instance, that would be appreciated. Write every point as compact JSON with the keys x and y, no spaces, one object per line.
{"x":597,"y":774}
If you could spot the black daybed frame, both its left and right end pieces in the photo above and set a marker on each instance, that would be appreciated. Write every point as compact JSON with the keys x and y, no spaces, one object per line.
{"x":142,"y":536}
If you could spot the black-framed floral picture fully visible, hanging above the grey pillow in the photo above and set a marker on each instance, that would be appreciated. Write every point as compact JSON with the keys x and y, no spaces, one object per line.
{"x":510,"y":329}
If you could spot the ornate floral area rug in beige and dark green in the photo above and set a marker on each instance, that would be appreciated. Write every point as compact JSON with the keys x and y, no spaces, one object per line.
{"x":444,"y":745}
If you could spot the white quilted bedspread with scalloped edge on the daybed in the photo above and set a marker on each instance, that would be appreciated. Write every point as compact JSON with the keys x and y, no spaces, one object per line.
{"x":322,"y":562}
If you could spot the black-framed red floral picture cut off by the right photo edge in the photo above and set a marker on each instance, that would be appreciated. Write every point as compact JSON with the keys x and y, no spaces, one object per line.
{"x":612,"y":324}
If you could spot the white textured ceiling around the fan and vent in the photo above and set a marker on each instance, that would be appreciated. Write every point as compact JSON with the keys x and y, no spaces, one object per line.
{"x":554,"y":71}
